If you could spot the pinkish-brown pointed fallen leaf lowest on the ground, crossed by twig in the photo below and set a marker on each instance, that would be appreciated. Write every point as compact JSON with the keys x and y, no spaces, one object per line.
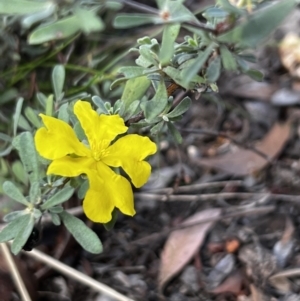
{"x":182,"y":245}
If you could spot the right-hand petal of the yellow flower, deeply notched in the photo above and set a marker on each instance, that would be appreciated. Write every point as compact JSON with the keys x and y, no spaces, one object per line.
{"x":129,"y":153}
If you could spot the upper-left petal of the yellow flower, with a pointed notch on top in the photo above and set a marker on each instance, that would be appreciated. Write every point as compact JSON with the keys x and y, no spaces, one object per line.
{"x":57,"y":139}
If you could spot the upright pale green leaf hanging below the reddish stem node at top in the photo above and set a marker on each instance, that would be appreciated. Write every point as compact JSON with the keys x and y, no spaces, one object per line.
{"x":170,"y":34}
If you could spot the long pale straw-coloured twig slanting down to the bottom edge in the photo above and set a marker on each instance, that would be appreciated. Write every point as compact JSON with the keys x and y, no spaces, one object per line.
{"x":72,"y":273}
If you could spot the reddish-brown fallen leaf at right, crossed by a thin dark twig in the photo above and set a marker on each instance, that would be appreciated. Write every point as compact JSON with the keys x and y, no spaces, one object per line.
{"x":244,"y":161}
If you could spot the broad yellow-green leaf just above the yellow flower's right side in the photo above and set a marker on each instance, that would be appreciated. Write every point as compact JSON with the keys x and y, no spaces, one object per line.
{"x":135,"y":89}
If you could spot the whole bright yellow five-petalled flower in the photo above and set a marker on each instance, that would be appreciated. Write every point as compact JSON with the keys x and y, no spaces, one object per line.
{"x":58,"y":142}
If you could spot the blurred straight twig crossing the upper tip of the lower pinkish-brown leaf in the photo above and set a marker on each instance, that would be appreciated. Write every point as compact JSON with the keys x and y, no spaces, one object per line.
{"x":158,"y":235}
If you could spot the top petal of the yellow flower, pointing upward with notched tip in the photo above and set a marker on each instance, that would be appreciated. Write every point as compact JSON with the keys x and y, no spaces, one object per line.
{"x":99,"y":129}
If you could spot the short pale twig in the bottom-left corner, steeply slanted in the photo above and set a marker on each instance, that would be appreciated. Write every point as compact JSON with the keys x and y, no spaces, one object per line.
{"x":15,"y":273}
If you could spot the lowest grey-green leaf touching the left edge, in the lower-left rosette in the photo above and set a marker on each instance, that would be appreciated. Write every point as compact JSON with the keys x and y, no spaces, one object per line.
{"x":13,"y":228}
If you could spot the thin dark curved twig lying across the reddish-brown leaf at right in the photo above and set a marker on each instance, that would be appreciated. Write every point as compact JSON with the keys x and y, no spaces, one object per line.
{"x":219,"y":134}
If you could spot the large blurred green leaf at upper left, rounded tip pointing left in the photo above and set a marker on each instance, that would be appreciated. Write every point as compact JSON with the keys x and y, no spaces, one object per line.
{"x":58,"y":30}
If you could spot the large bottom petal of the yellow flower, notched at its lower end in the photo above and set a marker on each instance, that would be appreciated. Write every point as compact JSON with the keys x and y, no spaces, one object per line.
{"x":107,"y":190}
